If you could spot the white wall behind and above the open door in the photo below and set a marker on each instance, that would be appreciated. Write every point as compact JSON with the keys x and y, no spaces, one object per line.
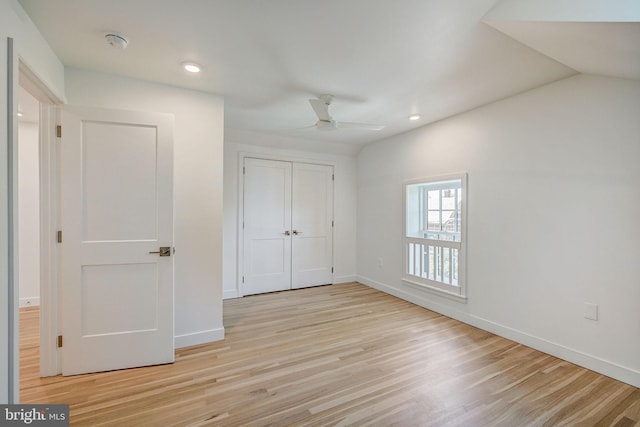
{"x":198,"y":154}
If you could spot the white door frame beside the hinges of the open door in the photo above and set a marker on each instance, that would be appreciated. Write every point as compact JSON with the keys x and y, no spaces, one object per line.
{"x":48,"y":154}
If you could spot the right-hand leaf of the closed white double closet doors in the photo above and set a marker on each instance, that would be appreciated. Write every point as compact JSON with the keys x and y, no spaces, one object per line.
{"x":312,"y":225}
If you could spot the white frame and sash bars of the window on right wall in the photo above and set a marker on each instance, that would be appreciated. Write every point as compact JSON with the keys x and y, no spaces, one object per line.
{"x":418,"y":245}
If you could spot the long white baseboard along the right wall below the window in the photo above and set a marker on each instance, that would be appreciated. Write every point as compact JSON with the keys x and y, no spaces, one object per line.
{"x":604,"y":367}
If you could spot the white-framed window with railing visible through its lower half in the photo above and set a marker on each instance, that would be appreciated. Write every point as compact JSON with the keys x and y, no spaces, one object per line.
{"x":434,"y":234}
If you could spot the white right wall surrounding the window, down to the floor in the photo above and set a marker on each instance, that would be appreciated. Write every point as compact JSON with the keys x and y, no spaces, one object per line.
{"x":554,"y":202}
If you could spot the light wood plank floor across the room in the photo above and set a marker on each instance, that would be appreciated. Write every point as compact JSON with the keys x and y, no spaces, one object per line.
{"x":338,"y":355}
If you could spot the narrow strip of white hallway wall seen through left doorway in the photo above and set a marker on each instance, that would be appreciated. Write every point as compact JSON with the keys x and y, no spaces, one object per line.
{"x":28,"y":214}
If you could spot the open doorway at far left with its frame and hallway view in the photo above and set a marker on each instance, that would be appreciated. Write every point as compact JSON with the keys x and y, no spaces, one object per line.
{"x":36,"y":190}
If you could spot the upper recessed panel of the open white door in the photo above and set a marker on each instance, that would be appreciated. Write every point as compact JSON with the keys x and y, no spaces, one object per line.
{"x":109,"y":213}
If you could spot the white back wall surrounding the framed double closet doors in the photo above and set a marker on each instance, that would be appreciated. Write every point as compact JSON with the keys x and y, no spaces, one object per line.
{"x":344,"y":207}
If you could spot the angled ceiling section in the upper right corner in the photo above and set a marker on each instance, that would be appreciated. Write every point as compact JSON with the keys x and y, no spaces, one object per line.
{"x":591,"y":36}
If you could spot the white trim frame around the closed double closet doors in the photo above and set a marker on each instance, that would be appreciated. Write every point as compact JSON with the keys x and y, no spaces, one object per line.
{"x":240,"y":231}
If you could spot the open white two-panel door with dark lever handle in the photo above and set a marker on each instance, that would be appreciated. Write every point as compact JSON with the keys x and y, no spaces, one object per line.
{"x":116,"y":178}
